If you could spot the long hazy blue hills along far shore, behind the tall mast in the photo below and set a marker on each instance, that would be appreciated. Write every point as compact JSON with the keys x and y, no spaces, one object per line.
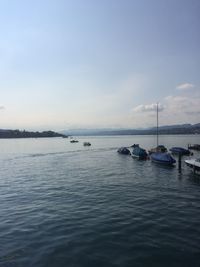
{"x":168,"y":129}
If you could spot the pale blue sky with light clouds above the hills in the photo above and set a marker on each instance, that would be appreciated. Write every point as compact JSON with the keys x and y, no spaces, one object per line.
{"x":68,"y":64}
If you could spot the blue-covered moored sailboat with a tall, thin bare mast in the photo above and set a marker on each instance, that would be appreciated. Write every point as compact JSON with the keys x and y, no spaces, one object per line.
{"x":160,"y":156}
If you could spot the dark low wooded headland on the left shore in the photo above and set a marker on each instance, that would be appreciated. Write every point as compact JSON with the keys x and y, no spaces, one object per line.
{"x":25,"y":134}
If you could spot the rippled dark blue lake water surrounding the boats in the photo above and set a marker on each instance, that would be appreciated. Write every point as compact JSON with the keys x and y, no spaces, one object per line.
{"x":63,"y":204}
